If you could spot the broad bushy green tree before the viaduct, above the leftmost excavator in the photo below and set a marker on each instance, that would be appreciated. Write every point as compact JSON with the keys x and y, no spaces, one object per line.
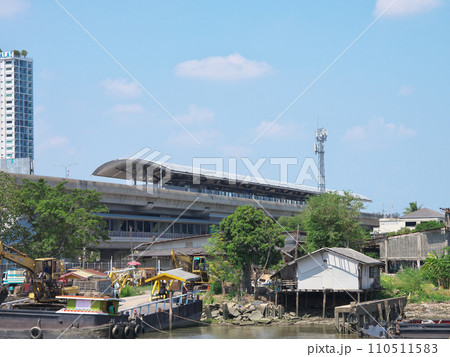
{"x":61,"y":224}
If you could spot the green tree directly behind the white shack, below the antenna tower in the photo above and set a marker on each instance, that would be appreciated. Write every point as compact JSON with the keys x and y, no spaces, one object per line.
{"x":331,"y":220}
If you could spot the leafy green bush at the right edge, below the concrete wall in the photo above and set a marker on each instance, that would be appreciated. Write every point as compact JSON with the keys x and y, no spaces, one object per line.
{"x":437,"y":268}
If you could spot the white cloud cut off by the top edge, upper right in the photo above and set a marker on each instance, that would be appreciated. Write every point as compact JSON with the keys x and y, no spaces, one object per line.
{"x":405,"y":7}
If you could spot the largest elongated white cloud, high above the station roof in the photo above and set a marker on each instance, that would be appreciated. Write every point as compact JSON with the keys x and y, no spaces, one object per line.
{"x":230,"y":68}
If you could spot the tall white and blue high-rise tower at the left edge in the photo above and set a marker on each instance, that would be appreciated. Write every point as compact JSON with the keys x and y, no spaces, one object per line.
{"x":16,"y":106}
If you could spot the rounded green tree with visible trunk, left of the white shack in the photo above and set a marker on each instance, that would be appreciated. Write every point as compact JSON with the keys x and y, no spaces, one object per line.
{"x":250,"y":239}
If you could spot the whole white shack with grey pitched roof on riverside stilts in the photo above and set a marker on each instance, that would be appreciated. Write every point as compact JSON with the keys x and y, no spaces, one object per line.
{"x":339,"y":272}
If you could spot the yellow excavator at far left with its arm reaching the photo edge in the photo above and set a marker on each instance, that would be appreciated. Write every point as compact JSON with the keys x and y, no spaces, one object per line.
{"x":42,"y":275}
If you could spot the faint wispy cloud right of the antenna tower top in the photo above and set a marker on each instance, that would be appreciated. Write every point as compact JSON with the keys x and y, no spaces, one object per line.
{"x":377,"y":133}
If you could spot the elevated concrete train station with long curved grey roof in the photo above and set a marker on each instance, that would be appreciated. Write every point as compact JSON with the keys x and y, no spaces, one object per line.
{"x":159,"y":201}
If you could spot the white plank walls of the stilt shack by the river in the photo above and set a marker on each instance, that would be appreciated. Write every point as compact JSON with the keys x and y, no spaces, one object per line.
{"x":333,"y":272}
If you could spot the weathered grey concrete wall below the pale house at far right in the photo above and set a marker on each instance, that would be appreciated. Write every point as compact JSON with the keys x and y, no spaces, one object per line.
{"x":414,"y":246}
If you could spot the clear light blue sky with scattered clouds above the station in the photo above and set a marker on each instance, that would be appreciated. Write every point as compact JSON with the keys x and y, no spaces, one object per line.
{"x":226,"y":70}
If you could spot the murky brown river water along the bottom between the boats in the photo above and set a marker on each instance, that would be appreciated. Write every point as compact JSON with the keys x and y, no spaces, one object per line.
{"x":251,"y":332}
